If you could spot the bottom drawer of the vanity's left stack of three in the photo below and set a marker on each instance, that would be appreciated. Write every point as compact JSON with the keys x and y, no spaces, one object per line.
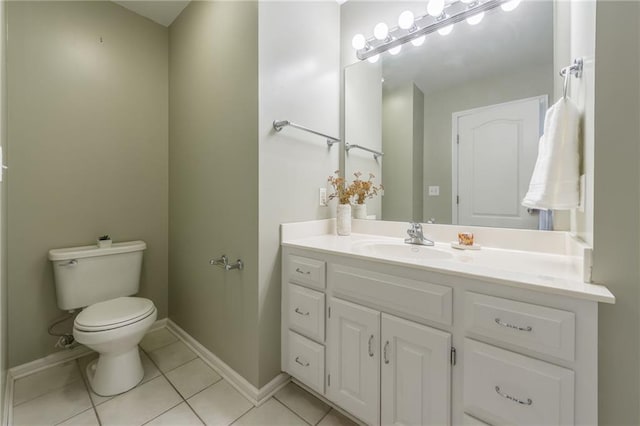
{"x":306,"y":361}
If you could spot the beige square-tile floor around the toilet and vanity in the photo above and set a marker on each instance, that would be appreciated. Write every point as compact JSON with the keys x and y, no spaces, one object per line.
{"x":178,"y":388}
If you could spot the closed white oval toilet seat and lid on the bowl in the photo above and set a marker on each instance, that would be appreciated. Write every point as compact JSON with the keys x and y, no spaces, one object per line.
{"x":113,"y":314}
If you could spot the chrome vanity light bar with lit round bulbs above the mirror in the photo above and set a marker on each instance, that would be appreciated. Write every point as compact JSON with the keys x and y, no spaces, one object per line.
{"x":441,"y":16}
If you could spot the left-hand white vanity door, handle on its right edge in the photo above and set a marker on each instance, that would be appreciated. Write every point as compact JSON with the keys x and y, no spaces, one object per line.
{"x":353,"y":364}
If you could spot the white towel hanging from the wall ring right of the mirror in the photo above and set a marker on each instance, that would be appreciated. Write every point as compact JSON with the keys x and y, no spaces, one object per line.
{"x":555,"y":180}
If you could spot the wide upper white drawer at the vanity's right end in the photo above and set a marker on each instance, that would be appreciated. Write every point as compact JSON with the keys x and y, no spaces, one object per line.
{"x":538,"y":328}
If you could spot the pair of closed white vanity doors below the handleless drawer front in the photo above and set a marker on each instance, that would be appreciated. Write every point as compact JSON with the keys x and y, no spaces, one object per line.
{"x":385,"y":369}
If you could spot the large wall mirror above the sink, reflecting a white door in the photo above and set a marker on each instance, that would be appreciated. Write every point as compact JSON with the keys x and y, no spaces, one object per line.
{"x":458,"y":120}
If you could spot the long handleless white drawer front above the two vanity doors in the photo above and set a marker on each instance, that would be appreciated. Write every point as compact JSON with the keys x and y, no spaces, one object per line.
{"x":407,"y":298}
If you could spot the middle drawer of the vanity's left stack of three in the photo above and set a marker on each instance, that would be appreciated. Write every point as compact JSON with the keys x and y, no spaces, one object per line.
{"x":306,"y":312}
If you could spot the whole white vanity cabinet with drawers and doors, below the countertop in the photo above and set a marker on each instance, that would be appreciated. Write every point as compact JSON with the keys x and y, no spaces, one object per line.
{"x":396,"y":344}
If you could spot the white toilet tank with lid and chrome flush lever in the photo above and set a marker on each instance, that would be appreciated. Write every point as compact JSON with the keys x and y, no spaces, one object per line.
{"x":87,"y":275}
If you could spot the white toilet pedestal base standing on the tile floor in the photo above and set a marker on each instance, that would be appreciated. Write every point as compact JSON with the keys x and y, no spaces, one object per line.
{"x":112,"y":374}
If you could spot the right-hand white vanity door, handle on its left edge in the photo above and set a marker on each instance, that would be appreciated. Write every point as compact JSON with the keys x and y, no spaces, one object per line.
{"x":416,"y":374}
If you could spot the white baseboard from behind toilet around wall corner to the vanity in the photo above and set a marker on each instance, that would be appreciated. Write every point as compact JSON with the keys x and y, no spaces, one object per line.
{"x":253,"y":394}
